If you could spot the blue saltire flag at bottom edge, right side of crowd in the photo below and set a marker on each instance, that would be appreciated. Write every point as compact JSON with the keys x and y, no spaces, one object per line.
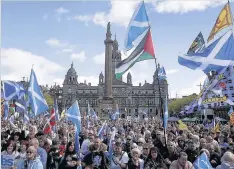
{"x":202,"y":162}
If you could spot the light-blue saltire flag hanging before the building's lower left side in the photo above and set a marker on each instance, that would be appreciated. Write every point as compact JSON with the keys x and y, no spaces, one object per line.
{"x":73,"y":115}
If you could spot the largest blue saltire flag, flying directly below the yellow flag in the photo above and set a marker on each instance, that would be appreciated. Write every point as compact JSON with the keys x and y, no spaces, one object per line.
{"x":214,"y":57}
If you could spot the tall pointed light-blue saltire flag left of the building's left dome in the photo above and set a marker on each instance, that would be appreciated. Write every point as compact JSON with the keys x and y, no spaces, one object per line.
{"x":36,"y":98}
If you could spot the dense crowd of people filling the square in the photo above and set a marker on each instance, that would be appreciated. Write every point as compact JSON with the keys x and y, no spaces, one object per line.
{"x":136,"y":144}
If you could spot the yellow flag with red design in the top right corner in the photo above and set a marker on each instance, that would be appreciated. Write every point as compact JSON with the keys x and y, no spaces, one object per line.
{"x":224,"y":20}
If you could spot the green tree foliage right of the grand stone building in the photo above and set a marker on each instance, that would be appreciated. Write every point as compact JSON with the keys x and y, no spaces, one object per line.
{"x":176,"y":105}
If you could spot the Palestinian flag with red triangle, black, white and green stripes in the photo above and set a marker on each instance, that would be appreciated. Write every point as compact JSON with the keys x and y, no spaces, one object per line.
{"x":144,"y":51}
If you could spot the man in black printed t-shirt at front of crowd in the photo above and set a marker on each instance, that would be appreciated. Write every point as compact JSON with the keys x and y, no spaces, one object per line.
{"x":96,"y":158}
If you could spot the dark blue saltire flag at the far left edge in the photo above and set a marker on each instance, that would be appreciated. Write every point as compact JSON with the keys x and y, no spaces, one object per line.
{"x":11,"y":90}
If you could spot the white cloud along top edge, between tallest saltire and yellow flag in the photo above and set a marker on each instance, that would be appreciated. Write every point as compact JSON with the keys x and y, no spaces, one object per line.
{"x":181,"y":6}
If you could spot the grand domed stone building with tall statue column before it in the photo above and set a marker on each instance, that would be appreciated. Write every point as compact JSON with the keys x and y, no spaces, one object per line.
{"x":141,"y":100}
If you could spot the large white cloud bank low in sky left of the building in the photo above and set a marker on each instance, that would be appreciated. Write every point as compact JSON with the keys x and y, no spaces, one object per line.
{"x":17,"y":63}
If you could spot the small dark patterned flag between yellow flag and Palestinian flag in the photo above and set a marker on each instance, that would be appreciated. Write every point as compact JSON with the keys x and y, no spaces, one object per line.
{"x":197,"y":45}
